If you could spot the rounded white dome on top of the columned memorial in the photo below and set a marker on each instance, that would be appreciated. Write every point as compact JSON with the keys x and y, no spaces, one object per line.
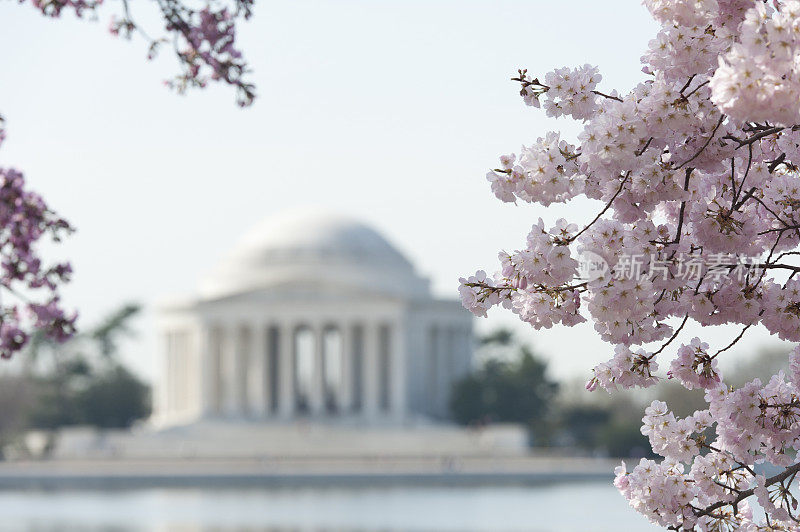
{"x":309,"y":248}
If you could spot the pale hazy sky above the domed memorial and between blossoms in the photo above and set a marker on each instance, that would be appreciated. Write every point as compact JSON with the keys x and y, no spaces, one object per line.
{"x":391,"y":111}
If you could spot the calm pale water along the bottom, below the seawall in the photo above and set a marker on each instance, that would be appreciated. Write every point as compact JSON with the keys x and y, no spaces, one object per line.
{"x":578,"y":506}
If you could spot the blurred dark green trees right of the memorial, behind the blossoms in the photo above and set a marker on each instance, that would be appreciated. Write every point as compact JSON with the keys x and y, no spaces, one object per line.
{"x":512,"y":385}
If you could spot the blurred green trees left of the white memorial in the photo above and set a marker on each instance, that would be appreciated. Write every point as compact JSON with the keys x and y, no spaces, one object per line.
{"x":79,"y":382}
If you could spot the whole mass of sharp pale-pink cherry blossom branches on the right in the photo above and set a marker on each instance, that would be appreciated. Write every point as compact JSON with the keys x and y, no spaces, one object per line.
{"x":697,"y":171}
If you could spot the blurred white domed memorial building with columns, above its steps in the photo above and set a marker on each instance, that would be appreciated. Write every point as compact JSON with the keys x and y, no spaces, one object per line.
{"x":311,"y":316}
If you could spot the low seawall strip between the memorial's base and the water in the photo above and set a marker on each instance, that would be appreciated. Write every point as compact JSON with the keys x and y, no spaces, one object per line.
{"x":268,"y":472}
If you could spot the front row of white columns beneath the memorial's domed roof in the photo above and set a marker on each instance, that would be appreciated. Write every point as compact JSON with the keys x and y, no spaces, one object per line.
{"x":286,"y":369}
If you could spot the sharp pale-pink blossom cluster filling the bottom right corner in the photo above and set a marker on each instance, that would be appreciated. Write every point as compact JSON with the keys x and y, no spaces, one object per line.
{"x":709,"y":471}
